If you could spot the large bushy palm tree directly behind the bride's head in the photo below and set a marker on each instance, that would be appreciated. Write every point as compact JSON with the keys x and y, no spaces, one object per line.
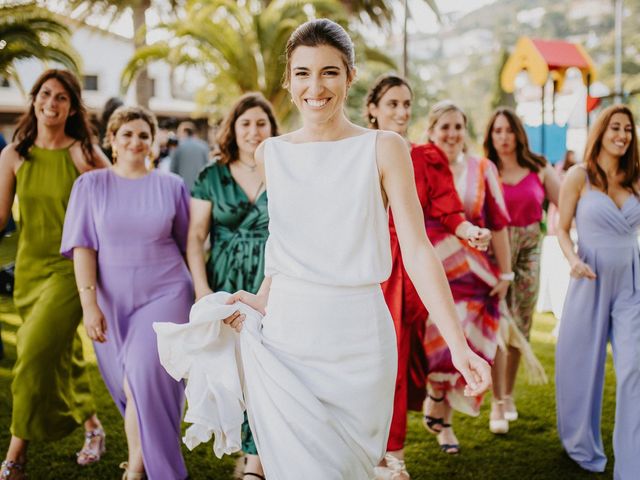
{"x":238,"y":47}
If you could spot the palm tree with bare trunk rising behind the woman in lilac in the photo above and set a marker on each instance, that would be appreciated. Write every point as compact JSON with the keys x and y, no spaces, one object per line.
{"x":113,"y":10}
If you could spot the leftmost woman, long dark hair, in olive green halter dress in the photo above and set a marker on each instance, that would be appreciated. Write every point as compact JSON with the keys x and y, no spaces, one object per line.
{"x":51,"y":395}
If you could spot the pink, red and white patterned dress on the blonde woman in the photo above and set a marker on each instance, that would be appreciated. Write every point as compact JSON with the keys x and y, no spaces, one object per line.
{"x":471,"y":274}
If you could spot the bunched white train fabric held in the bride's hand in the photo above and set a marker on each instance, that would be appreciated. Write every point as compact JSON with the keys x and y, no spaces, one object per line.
{"x":205,"y":353}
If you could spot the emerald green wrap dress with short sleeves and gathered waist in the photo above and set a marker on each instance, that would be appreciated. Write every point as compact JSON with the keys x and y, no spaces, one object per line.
{"x":239,"y":231}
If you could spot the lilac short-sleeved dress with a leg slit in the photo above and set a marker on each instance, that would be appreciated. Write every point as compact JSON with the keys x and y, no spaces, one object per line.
{"x":138,"y":228}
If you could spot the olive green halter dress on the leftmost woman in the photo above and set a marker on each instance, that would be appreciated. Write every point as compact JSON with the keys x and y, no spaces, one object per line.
{"x":50,"y":388}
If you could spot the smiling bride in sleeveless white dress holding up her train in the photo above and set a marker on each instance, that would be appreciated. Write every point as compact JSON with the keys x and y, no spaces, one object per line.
{"x":318,"y":371}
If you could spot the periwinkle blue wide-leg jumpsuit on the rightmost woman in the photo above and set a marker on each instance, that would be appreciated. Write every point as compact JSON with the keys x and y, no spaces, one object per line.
{"x":595,"y":311}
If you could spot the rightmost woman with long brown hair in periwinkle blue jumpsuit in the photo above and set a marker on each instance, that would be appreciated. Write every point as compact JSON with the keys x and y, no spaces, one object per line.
{"x":603,"y":301}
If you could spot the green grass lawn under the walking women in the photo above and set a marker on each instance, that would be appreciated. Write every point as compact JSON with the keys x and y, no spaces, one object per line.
{"x":531,"y":450}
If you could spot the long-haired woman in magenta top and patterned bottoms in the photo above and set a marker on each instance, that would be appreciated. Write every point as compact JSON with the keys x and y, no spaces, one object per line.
{"x":527,"y":180}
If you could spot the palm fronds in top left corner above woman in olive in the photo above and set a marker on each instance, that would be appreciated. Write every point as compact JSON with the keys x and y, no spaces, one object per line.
{"x":29,"y":31}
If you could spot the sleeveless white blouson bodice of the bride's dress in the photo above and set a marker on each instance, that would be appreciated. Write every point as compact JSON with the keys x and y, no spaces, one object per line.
{"x":328,"y":223}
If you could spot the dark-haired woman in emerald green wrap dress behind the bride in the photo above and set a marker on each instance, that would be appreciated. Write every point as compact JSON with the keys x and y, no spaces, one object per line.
{"x":229,"y":203}
